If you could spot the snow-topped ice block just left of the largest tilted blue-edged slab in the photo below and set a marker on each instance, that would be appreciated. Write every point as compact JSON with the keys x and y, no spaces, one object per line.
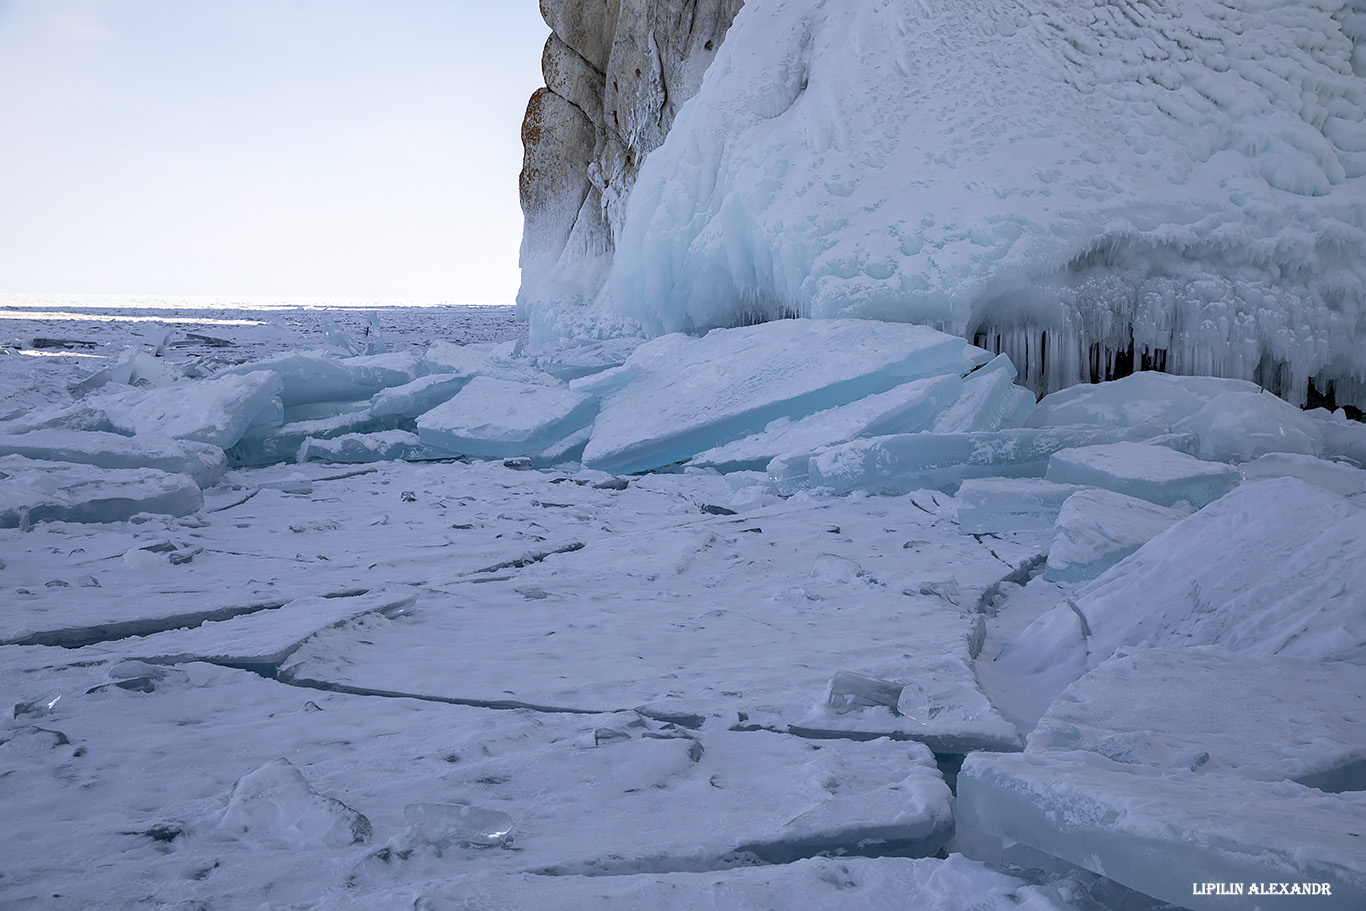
{"x":501,"y":419}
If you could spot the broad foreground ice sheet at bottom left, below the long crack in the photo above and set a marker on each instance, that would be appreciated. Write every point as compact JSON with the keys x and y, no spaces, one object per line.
{"x":100,"y":819}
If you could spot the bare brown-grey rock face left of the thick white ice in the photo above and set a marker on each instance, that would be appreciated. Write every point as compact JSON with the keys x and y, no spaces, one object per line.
{"x":617,"y":73}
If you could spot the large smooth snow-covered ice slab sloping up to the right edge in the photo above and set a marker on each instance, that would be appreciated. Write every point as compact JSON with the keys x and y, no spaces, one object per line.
{"x":1271,"y":569}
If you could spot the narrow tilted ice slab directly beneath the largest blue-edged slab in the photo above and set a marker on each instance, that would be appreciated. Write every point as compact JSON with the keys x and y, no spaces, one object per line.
{"x":905,"y":409}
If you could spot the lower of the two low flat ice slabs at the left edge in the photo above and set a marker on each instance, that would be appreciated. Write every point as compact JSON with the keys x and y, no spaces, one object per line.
{"x":35,"y":491}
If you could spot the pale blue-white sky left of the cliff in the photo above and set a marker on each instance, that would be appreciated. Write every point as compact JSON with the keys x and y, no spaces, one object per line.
{"x":266,"y":148}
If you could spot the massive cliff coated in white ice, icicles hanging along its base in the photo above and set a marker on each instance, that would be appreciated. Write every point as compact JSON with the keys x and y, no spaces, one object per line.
{"x":1074,"y":184}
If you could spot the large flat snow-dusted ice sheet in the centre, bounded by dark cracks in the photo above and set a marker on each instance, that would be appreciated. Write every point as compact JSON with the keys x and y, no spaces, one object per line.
{"x":740,"y":618}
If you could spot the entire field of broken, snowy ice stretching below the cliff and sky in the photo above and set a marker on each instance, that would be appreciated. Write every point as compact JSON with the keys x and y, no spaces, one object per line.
{"x":311,"y":610}
